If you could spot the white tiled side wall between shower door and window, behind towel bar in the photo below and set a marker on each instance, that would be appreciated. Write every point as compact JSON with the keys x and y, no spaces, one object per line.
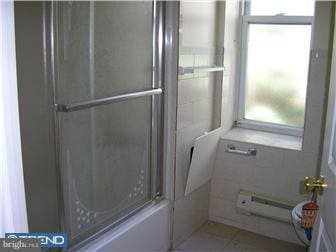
{"x":194,"y":110}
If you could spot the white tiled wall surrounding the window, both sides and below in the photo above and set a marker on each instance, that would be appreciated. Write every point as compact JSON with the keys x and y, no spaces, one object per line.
{"x":275,"y":171}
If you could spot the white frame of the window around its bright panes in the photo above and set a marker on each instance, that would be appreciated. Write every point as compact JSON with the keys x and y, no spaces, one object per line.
{"x":246,"y":20}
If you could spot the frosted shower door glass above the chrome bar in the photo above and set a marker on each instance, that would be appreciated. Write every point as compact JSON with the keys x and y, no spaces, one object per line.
{"x":104,"y":52}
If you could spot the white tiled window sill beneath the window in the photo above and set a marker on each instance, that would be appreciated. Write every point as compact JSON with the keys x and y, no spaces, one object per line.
{"x":264,"y":138}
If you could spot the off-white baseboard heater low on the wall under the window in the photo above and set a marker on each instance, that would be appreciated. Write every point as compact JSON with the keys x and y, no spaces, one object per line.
{"x":266,"y":206}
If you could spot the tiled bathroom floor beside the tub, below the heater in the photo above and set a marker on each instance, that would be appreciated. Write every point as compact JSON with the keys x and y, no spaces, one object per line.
{"x":213,"y":237}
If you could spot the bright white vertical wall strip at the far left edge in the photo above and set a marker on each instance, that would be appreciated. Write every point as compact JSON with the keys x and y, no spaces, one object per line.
{"x":13,"y":213}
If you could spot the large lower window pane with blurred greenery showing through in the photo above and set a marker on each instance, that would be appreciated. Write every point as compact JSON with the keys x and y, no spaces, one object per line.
{"x":277,"y":72}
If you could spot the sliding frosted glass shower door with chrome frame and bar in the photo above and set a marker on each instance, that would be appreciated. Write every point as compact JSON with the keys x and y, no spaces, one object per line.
{"x":107,"y":93}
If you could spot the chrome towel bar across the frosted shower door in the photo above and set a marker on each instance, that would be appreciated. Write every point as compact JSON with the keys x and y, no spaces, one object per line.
{"x":106,"y":100}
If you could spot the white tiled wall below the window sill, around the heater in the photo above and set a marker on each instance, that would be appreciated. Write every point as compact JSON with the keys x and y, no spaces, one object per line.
{"x":275,"y":172}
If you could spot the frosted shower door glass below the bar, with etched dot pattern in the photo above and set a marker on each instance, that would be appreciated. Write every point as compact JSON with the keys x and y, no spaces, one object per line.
{"x":106,"y":154}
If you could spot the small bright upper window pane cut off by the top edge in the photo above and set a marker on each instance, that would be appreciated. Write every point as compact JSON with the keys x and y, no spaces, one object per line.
{"x":285,"y":7}
